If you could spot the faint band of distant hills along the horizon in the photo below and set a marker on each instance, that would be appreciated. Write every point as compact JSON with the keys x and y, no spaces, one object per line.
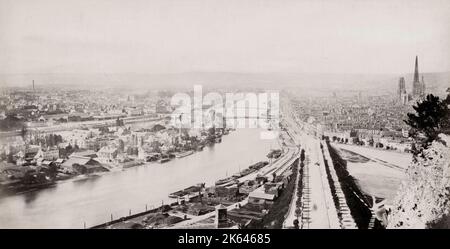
{"x":331,"y":82}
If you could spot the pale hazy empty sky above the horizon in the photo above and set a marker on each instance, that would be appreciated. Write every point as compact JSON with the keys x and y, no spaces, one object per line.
{"x":164,"y":36}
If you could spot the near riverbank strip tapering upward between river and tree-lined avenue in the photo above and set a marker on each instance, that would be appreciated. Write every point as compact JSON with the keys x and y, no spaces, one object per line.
{"x":194,"y":205}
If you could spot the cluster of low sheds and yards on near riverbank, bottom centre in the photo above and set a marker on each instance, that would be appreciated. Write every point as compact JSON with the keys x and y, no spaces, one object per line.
{"x":220,"y":206}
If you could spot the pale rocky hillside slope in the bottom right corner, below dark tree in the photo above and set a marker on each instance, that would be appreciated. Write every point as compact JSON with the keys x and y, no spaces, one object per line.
{"x":424,"y":199}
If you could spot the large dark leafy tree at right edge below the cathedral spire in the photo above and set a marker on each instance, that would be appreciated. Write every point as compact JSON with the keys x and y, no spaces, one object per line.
{"x":431,"y":117}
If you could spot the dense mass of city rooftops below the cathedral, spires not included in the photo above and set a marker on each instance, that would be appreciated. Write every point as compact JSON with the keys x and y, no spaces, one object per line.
{"x":374,"y":121}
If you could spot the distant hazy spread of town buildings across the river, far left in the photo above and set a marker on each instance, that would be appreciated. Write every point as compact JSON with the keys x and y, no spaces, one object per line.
{"x":46,"y":107}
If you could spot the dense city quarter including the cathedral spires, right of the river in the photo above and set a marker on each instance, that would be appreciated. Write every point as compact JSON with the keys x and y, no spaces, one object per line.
{"x":373,"y":120}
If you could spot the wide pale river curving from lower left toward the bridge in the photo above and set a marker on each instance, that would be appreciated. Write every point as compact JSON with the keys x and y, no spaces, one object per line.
{"x":91,"y":201}
